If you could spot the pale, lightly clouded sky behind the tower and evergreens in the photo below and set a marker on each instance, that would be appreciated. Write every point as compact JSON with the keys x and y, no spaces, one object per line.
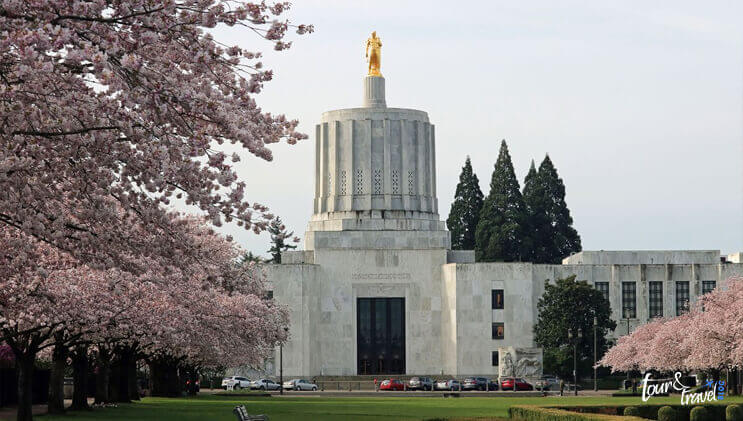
{"x":638,"y":104}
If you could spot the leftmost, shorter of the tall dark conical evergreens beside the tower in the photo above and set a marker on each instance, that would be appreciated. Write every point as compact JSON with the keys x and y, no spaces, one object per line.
{"x":465,"y":210}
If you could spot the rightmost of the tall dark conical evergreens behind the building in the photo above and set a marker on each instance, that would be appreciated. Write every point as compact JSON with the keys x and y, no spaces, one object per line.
{"x":564,"y":239}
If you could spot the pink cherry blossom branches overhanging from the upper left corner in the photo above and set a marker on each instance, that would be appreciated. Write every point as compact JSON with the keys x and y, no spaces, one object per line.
{"x":131,"y":101}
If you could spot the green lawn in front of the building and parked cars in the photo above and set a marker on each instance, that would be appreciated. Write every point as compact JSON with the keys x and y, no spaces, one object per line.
{"x":214,"y":408}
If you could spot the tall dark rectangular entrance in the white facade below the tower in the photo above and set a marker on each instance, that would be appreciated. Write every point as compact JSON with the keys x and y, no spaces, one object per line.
{"x":380,"y":335}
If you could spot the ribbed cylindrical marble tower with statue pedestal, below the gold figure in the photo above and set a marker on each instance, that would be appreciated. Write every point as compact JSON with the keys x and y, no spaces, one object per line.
{"x":375,"y":167}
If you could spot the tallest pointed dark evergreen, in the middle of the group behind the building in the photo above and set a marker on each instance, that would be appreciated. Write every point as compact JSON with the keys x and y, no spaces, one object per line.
{"x":500,"y":230}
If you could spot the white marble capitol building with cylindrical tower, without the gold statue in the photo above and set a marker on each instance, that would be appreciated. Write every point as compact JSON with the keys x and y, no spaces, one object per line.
{"x":377,"y":289}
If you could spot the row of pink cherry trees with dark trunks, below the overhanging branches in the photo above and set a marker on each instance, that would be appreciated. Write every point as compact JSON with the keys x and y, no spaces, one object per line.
{"x":209,"y":310}
